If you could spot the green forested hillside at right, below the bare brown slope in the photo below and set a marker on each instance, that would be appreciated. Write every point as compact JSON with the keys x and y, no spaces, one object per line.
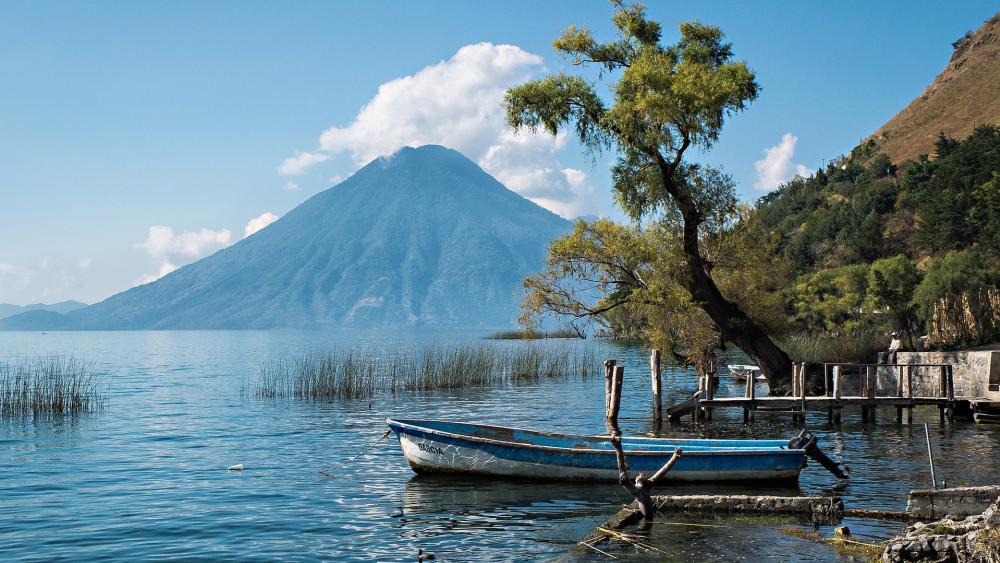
{"x":877,"y":246}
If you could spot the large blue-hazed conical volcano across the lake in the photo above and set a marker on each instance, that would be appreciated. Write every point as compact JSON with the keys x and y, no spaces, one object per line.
{"x":420,"y":237}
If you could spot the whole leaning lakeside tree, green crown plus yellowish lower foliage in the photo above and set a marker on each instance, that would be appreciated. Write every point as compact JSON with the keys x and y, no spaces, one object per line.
{"x":678,"y":281}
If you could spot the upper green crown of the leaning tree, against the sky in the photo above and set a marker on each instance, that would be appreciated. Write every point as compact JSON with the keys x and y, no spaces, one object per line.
{"x":666,"y":98}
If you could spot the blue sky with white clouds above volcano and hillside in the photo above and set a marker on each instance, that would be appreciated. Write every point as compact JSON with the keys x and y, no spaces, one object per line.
{"x":137,"y":137}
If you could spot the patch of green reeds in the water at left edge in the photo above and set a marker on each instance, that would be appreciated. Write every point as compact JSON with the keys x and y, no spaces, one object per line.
{"x":49,"y":386}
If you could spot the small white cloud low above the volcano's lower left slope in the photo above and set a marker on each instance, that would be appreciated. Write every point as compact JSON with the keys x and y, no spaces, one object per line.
{"x":173,"y":250}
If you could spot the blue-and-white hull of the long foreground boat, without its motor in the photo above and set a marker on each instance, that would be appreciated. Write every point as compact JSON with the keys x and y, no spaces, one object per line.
{"x":430,"y":451}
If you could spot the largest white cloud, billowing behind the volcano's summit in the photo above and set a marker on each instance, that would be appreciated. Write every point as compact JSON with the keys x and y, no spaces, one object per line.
{"x":458,"y":103}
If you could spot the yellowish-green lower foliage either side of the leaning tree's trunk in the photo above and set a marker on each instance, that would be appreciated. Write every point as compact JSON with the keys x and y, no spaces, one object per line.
{"x":627,"y":279}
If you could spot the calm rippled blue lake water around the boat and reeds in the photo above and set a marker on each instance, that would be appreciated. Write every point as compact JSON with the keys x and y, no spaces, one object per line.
{"x":146,"y":478}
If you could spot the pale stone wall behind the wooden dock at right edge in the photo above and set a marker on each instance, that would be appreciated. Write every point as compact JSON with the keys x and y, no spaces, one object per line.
{"x":975,"y":373}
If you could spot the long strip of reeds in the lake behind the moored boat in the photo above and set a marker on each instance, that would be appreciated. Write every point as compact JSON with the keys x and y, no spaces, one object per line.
{"x":365,"y":374}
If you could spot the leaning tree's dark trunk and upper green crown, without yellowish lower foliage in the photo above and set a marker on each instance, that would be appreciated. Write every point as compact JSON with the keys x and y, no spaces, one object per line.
{"x":665,"y":99}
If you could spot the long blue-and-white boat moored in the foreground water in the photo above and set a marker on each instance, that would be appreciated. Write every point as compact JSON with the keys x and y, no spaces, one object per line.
{"x":435,"y":446}
